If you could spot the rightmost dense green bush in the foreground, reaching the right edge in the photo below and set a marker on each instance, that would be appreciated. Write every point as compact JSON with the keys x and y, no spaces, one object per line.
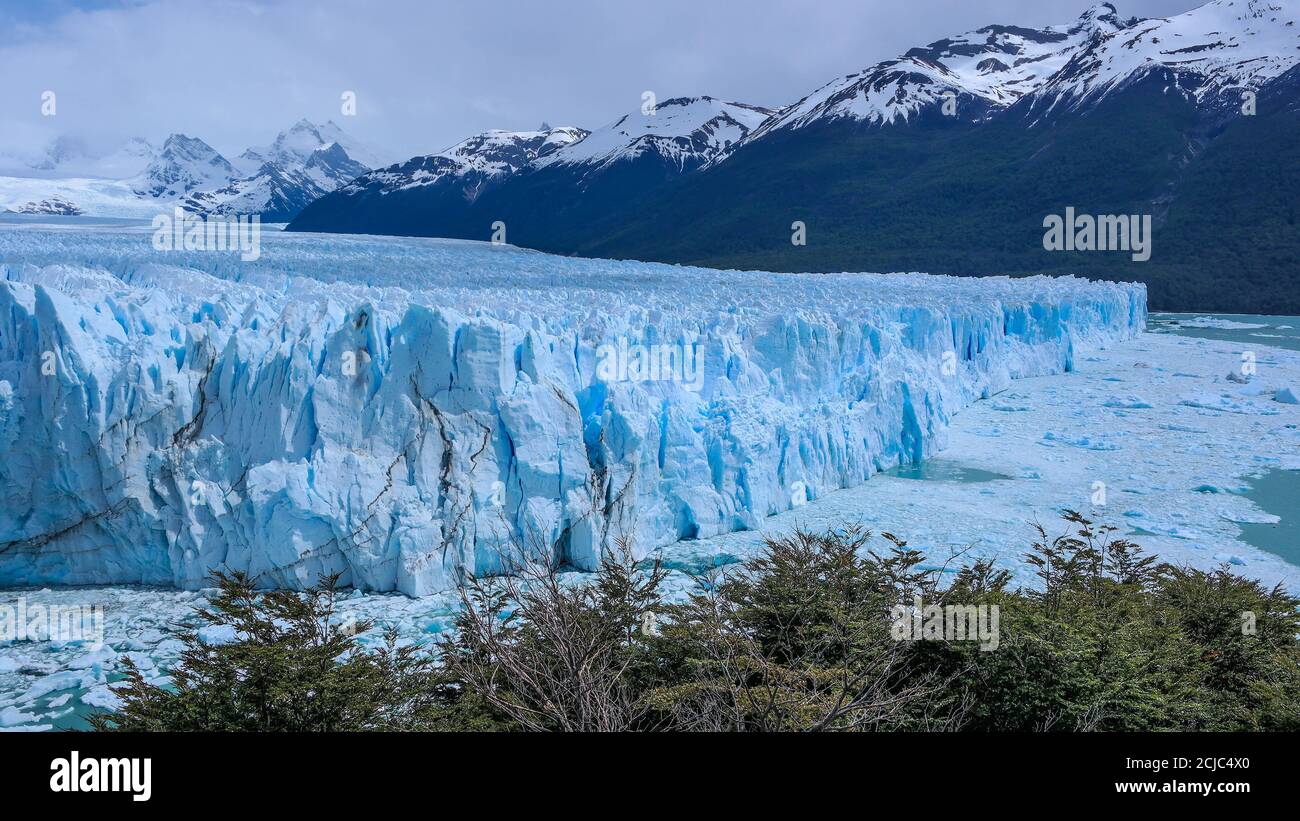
{"x":1112,"y":641}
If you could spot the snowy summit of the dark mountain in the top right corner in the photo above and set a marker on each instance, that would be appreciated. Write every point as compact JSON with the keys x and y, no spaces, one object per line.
{"x":1219,"y":47}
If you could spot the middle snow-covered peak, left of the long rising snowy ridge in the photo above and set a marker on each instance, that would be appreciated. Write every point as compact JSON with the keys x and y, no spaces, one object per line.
{"x":688,"y":132}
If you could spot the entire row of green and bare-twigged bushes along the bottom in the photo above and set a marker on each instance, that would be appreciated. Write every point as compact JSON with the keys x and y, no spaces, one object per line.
{"x":820,"y":632}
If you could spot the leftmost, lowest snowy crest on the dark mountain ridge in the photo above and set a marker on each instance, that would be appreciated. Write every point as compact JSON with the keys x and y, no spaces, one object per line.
{"x":482,"y":158}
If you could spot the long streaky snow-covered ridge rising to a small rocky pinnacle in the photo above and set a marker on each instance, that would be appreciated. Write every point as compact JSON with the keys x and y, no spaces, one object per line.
{"x":993,"y":68}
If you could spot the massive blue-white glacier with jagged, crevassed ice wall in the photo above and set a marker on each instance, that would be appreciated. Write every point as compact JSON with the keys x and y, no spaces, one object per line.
{"x":408,"y":411}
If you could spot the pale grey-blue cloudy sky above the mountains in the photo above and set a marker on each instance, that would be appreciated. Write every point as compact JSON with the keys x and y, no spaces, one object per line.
{"x":427,"y":73}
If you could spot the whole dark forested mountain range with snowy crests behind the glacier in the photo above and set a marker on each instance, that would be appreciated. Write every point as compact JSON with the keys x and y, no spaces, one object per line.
{"x":946,"y":159}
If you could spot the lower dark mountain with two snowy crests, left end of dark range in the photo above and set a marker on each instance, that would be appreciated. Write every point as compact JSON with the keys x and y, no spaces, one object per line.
{"x":536,"y":181}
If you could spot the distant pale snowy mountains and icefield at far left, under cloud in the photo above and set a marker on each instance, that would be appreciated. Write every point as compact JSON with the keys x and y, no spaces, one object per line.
{"x":276,"y":181}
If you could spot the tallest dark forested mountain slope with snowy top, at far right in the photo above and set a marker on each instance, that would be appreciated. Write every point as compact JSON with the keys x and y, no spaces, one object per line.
{"x":1132,"y":124}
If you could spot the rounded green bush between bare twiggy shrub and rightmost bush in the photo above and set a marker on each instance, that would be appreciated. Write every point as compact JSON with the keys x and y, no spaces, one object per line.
{"x":799,"y":641}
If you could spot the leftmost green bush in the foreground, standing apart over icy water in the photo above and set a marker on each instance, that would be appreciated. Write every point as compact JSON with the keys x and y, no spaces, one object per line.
{"x":292,"y":667}
